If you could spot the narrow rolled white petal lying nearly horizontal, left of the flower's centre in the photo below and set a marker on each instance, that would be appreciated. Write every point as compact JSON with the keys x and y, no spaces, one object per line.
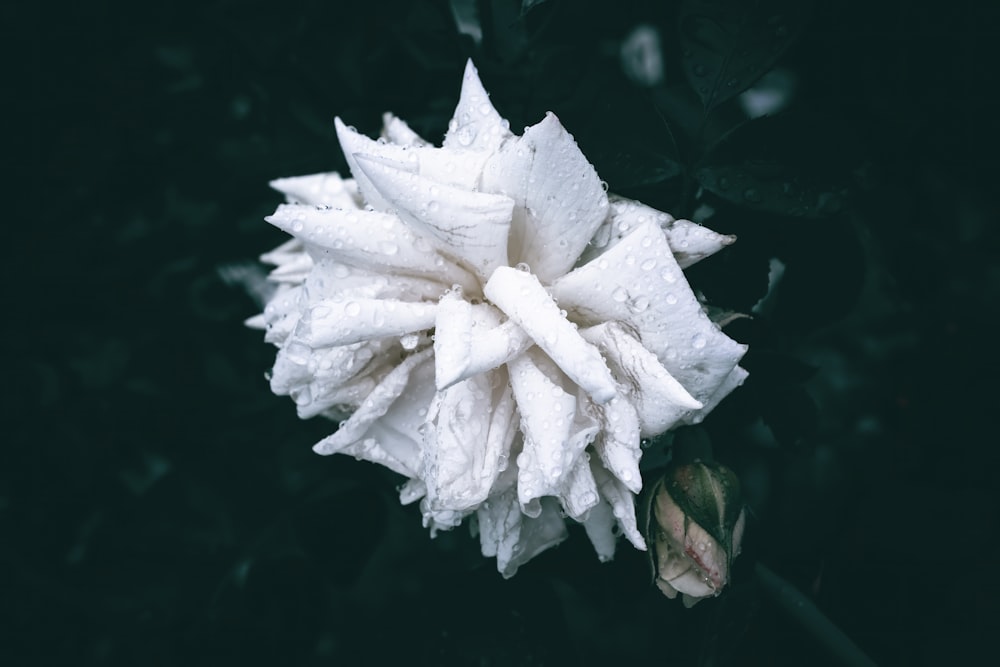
{"x":340,"y":322}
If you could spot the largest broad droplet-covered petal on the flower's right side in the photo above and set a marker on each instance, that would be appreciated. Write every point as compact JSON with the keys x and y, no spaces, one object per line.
{"x":638,"y":282}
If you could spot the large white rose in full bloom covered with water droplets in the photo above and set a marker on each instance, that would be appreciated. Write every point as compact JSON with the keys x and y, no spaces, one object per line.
{"x":489,"y":324}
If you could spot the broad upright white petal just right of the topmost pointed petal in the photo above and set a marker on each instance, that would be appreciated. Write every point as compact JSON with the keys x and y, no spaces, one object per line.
{"x":559,"y":200}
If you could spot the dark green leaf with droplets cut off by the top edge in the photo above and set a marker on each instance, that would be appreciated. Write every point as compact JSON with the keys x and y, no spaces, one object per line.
{"x":729,"y":44}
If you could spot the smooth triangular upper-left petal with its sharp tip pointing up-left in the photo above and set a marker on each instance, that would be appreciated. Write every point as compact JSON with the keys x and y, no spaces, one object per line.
{"x":471,"y":227}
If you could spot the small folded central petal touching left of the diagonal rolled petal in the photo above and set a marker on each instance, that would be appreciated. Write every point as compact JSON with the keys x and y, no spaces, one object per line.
{"x":468,"y":340}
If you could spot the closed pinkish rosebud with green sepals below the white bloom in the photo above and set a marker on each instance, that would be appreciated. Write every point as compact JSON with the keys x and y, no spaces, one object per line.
{"x":695,"y":524}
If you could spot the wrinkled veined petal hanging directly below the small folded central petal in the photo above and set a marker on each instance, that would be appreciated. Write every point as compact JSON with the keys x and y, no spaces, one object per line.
{"x":472,"y":425}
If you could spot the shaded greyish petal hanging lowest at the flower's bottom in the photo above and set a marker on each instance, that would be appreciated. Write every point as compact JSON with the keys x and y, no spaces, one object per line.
{"x":515,"y":538}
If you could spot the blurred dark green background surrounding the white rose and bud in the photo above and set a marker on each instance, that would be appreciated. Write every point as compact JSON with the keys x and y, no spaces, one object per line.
{"x":158,"y":506}
